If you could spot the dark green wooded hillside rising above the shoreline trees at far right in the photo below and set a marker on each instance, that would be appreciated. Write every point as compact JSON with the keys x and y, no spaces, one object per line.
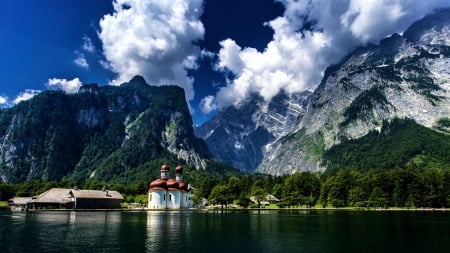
{"x":401,"y":143}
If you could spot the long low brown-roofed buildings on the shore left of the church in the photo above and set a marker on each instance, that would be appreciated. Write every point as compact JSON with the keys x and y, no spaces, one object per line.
{"x":60,"y":198}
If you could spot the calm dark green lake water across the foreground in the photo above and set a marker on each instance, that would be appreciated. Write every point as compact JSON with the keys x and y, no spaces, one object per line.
{"x":237,"y":231}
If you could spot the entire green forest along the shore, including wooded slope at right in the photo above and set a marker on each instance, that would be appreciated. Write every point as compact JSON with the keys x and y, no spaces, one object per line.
{"x":402,"y":165}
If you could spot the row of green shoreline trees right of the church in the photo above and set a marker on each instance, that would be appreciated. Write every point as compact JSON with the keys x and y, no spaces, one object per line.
{"x":400,"y":187}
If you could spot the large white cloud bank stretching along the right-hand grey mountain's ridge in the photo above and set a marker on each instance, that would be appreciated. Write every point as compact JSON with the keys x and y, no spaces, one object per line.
{"x":309,"y":37}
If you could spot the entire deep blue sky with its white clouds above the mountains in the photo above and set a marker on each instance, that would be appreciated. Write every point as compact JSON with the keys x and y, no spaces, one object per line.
{"x":220,"y":52}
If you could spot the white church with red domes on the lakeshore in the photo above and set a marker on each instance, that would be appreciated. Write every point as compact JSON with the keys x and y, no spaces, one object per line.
{"x":169,"y":193}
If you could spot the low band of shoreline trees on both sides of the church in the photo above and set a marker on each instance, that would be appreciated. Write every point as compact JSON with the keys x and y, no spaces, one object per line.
{"x":399,"y":187}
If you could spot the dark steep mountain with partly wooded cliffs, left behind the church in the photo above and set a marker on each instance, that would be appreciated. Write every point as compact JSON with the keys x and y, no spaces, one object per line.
{"x":107,"y":132}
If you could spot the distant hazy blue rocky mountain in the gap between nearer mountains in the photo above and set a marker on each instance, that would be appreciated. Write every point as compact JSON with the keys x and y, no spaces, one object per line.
{"x":238,"y":135}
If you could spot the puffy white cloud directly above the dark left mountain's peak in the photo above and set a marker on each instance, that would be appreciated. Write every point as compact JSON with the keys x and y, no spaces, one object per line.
{"x":153,"y":39}
